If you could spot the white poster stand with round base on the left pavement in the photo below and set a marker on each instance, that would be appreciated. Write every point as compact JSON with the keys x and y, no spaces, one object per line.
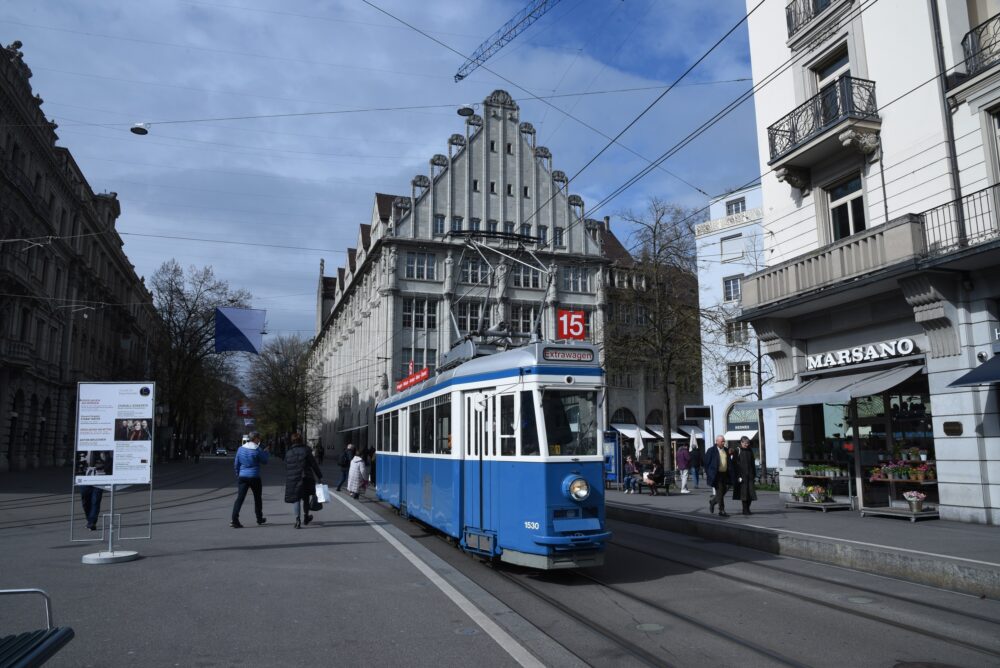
{"x":114,"y":451}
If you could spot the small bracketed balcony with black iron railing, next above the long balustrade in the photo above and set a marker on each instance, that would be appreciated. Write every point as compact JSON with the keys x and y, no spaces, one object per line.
{"x":811,"y":131}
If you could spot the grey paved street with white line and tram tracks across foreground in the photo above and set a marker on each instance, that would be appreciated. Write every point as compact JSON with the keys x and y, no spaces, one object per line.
{"x":340,"y":593}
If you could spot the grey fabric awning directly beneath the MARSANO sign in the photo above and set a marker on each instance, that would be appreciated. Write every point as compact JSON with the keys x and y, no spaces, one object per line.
{"x":837,"y":389}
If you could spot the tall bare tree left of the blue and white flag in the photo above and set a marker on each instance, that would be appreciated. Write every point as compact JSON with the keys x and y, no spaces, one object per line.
{"x":187,"y":367}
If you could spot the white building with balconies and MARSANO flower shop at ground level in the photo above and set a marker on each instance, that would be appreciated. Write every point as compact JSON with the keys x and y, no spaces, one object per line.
{"x":877,"y":131}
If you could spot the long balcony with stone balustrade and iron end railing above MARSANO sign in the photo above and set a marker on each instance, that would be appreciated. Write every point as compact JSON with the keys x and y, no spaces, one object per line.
{"x":937,"y":235}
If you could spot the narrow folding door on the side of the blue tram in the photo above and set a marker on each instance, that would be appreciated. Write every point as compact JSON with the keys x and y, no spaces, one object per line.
{"x":479,"y":444}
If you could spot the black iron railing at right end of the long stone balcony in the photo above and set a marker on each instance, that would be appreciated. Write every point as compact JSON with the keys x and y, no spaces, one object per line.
{"x":964,"y":222}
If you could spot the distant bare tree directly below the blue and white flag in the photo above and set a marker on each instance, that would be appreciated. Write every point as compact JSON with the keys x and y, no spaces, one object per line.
{"x":285,"y":390}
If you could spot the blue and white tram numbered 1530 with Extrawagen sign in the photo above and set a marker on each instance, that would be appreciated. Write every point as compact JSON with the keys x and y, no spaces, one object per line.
{"x":502,"y":453}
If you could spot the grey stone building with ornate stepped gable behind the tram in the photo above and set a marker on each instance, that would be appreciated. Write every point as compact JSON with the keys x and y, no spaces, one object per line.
{"x":411,"y":289}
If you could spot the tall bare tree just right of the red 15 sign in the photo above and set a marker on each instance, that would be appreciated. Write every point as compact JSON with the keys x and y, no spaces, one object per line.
{"x":653,"y":321}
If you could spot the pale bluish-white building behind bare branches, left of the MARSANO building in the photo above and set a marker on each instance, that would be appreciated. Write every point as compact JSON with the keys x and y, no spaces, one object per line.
{"x":729,"y":247}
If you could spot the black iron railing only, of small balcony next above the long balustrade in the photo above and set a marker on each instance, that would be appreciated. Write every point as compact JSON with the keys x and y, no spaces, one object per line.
{"x":847,"y":97}
